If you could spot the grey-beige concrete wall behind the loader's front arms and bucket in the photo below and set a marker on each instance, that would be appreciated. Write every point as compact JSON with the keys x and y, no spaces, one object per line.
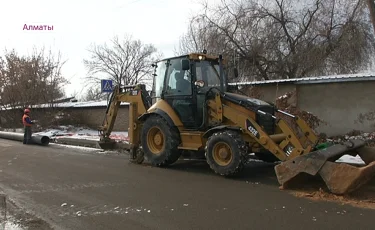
{"x":338,"y":104}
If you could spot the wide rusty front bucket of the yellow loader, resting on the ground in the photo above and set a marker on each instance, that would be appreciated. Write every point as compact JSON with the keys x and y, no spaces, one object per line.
{"x":340,"y":178}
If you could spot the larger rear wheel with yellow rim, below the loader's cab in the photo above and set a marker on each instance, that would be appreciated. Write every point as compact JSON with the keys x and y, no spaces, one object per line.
{"x":168,"y":152}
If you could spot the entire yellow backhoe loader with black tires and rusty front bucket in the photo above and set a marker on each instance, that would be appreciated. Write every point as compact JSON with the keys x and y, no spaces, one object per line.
{"x":190,"y":109}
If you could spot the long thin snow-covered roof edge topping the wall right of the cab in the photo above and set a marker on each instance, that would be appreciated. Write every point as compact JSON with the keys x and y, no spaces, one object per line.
{"x":315,"y":80}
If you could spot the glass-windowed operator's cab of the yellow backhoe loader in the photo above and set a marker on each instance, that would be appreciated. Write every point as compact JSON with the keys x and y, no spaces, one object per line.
{"x":183,"y":82}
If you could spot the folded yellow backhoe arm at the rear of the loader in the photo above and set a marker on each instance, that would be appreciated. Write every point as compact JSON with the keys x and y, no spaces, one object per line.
{"x":139,"y":102}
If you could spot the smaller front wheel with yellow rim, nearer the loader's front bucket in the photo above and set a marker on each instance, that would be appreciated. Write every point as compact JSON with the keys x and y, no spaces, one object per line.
{"x":237,"y":148}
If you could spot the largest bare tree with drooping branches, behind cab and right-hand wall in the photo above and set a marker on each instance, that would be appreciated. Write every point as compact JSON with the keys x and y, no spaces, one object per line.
{"x":273,"y":39}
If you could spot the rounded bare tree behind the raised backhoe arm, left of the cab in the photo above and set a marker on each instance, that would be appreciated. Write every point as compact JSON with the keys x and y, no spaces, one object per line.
{"x":126,"y":62}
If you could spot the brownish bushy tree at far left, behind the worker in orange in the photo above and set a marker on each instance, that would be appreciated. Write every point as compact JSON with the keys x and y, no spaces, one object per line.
{"x":26,"y":81}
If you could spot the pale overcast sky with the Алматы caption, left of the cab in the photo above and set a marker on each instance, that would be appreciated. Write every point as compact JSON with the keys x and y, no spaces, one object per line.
{"x":79,"y":23}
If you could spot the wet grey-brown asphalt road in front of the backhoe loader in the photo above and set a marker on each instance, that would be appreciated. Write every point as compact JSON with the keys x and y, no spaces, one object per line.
{"x":75,"y":189}
